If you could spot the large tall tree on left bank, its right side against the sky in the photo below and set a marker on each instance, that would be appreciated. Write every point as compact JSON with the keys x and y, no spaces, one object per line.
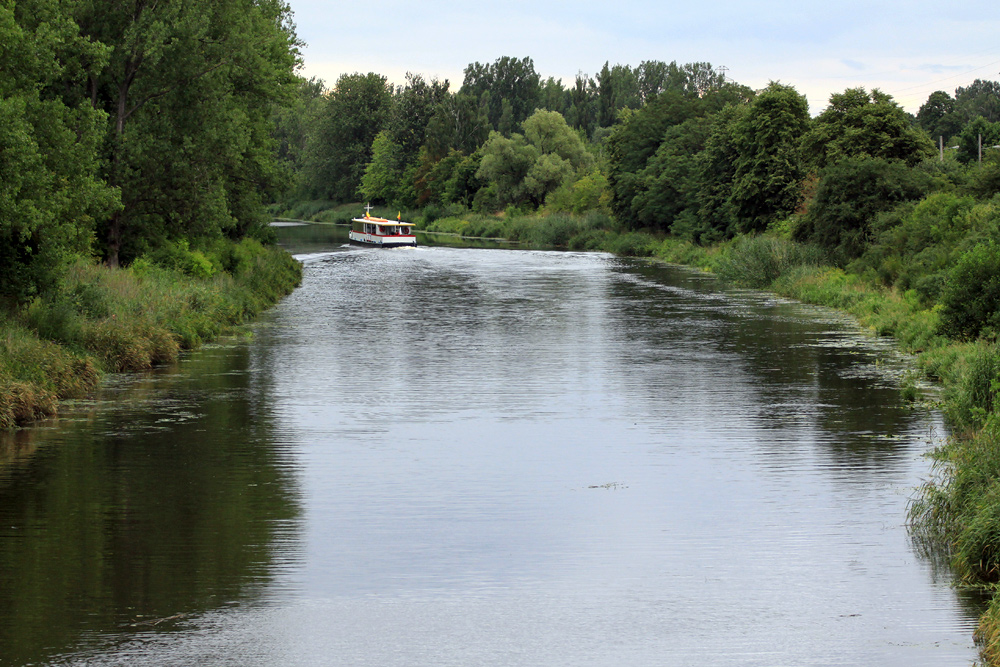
{"x":189,"y":89}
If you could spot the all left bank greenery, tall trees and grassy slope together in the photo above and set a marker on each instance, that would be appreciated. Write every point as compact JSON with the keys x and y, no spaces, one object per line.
{"x":138,"y":135}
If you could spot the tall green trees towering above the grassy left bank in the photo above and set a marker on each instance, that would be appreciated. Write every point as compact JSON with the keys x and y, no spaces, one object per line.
{"x":128,"y":125}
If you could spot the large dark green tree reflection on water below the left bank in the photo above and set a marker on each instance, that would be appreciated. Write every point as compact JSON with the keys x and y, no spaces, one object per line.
{"x":168,"y":501}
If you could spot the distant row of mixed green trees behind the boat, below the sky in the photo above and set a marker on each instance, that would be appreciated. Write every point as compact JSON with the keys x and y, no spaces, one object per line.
{"x":674,"y":148}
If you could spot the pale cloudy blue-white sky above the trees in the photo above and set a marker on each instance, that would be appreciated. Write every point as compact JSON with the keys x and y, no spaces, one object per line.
{"x":907,"y":49}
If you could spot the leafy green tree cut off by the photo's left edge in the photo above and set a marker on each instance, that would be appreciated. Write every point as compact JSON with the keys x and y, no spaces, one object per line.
{"x":50,"y":192}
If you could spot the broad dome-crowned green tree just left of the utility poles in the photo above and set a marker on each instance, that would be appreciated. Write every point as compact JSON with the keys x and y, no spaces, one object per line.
{"x":857,"y":124}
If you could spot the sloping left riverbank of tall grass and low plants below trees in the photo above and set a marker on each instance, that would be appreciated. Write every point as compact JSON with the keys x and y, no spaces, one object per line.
{"x":106,"y":321}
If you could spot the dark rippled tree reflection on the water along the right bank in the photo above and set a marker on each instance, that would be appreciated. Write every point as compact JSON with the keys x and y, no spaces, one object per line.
{"x":757,"y":360}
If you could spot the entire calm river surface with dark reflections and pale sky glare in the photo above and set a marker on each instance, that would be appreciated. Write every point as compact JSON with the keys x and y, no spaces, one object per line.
{"x":486,"y":457}
